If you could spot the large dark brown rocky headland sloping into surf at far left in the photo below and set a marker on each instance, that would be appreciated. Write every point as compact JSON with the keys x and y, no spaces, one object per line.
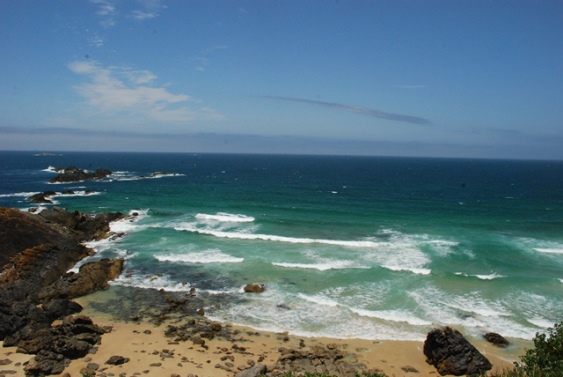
{"x":36,"y":251}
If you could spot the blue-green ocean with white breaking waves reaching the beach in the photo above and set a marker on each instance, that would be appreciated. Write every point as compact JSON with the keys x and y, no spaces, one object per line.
{"x":364,"y":247}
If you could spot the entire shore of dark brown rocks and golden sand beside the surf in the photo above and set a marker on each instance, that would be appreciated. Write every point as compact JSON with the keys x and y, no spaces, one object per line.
{"x":38,"y":316}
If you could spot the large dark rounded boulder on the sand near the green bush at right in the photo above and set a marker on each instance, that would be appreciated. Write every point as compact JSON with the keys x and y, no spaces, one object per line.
{"x":452,"y":354}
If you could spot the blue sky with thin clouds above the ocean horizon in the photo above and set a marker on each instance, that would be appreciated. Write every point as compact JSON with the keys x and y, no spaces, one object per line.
{"x":400,"y":78}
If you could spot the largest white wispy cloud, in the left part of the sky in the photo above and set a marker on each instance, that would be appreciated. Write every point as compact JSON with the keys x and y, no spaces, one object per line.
{"x":114,"y":90}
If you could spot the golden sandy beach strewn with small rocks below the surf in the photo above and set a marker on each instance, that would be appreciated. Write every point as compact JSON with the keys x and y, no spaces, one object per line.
{"x":149,"y":349}
